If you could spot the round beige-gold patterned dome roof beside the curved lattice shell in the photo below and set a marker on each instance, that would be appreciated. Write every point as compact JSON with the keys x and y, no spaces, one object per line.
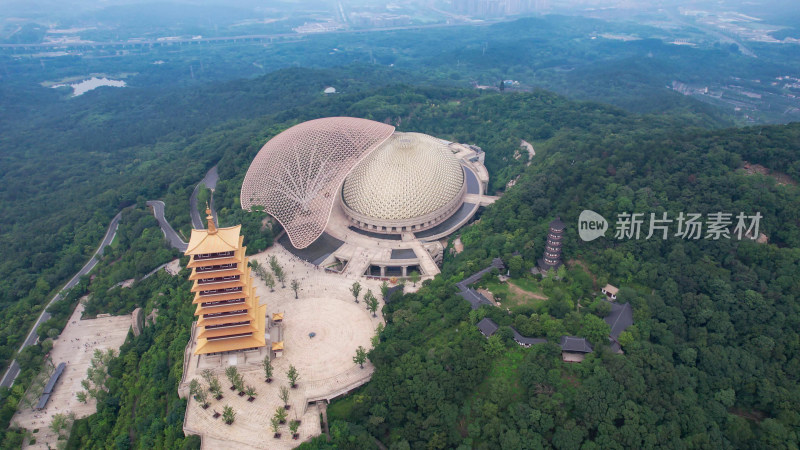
{"x":409,"y":175}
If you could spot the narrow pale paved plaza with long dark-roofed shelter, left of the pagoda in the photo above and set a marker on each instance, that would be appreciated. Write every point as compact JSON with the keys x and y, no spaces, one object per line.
{"x":75,"y":347}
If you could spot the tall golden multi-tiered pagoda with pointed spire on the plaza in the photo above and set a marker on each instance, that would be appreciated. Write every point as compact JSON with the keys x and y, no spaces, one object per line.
{"x":229,"y":317}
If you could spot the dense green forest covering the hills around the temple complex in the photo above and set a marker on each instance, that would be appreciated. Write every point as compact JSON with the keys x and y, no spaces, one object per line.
{"x":713,"y":358}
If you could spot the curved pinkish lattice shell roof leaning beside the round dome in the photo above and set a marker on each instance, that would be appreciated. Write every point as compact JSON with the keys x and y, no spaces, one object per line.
{"x":297,"y":174}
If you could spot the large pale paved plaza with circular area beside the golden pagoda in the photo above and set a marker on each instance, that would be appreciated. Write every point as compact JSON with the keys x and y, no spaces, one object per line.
{"x":326,"y":308}
